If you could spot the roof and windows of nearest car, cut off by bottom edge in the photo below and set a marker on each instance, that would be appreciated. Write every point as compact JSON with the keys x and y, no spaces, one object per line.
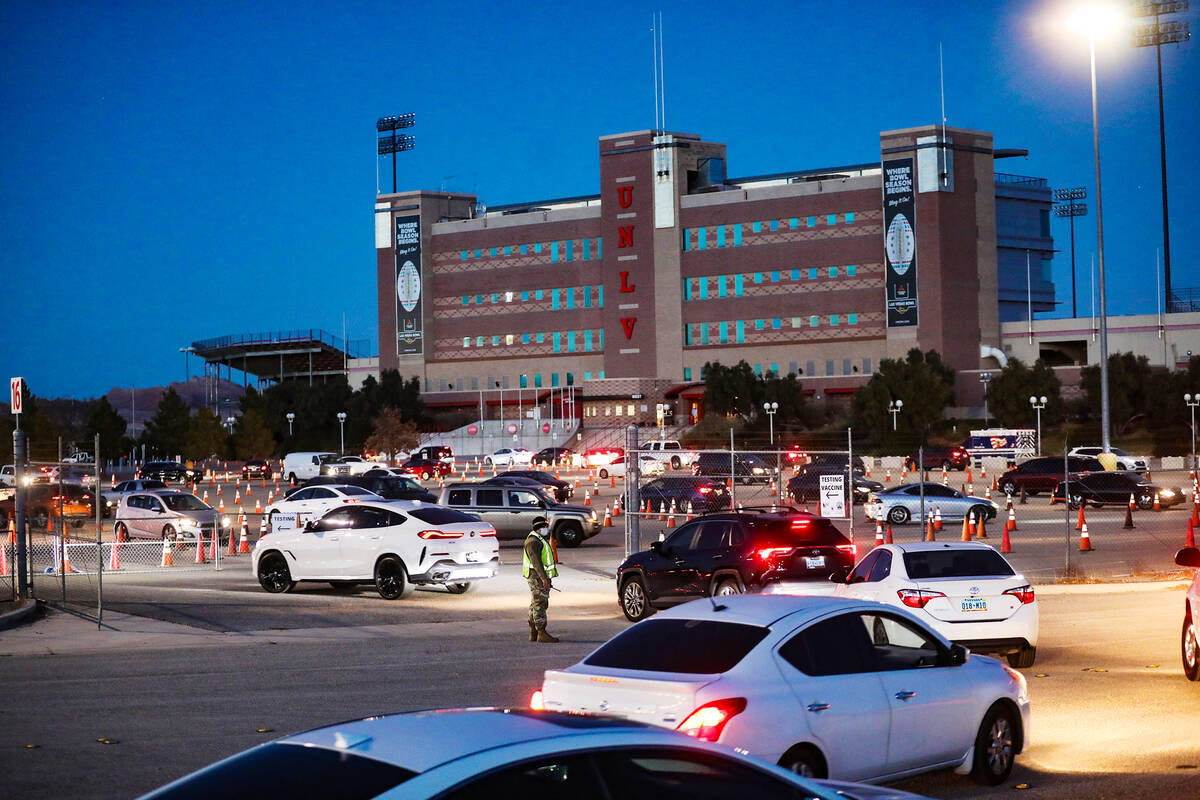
{"x":496,"y":755}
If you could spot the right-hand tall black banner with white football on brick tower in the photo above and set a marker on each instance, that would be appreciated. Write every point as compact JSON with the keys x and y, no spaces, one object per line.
{"x":901,"y":243}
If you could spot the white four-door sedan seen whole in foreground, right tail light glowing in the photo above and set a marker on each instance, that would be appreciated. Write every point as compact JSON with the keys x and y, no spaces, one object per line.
{"x":825,"y":687}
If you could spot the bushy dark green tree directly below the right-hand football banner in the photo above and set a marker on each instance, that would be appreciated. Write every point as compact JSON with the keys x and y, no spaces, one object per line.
{"x":926,"y":386}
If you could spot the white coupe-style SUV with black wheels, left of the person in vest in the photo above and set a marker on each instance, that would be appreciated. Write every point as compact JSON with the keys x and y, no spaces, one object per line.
{"x":392,"y":544}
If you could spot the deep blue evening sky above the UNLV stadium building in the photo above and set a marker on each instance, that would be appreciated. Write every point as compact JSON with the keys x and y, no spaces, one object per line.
{"x":173,"y":175}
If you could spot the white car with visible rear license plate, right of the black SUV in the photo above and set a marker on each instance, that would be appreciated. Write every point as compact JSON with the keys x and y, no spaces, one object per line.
{"x":967,"y":592}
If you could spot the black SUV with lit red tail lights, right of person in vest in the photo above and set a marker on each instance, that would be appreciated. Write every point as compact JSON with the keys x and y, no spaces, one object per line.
{"x":731,"y":554}
